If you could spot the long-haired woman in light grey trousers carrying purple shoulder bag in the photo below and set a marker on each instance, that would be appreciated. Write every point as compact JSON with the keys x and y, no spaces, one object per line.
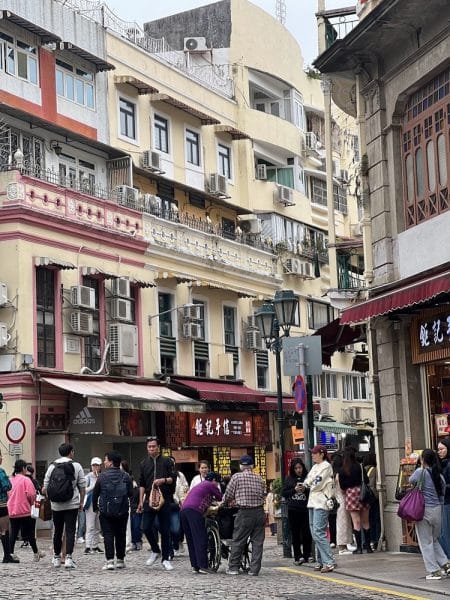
{"x":429,"y":528}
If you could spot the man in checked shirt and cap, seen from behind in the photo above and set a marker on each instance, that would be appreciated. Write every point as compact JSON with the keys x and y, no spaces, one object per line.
{"x":246,"y":490}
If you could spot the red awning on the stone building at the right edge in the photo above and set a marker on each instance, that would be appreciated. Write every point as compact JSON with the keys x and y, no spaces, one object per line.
{"x":402,"y":297}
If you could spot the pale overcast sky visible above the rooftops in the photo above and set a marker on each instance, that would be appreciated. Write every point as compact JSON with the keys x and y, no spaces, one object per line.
{"x":300,"y":20}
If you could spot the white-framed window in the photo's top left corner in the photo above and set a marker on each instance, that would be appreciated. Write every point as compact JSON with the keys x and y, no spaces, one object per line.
{"x":19,"y":58}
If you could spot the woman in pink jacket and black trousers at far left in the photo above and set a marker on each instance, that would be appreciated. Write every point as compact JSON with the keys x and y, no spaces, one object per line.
{"x":21,"y":498}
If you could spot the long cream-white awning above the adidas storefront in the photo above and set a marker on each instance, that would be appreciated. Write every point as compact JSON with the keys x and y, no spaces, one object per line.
{"x":112,"y":394}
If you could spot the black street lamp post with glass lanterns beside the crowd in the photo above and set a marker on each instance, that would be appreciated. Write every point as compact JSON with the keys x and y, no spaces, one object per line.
{"x":278,"y":314}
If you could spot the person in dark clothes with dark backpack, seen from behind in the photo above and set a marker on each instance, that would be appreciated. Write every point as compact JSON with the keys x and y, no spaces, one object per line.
{"x":110,"y":498}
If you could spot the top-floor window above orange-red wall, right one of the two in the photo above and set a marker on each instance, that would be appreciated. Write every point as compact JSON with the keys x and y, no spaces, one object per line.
{"x":75,"y":84}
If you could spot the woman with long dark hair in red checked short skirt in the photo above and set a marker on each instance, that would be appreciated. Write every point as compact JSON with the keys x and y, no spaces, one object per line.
{"x":350,"y":476}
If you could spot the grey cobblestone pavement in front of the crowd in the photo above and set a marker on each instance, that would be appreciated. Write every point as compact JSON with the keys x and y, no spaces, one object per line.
{"x":41,"y":581}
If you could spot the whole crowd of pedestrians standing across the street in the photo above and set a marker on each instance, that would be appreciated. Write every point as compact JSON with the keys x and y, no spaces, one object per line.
{"x":327,"y":513}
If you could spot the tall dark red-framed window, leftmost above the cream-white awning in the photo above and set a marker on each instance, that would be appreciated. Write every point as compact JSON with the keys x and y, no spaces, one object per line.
{"x":45,"y":317}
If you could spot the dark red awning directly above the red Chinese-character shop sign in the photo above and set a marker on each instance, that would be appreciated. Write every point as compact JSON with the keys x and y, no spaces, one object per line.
{"x":220,"y":391}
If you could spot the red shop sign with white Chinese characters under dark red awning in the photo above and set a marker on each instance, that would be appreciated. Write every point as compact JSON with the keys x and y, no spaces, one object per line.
{"x":213,"y":428}
